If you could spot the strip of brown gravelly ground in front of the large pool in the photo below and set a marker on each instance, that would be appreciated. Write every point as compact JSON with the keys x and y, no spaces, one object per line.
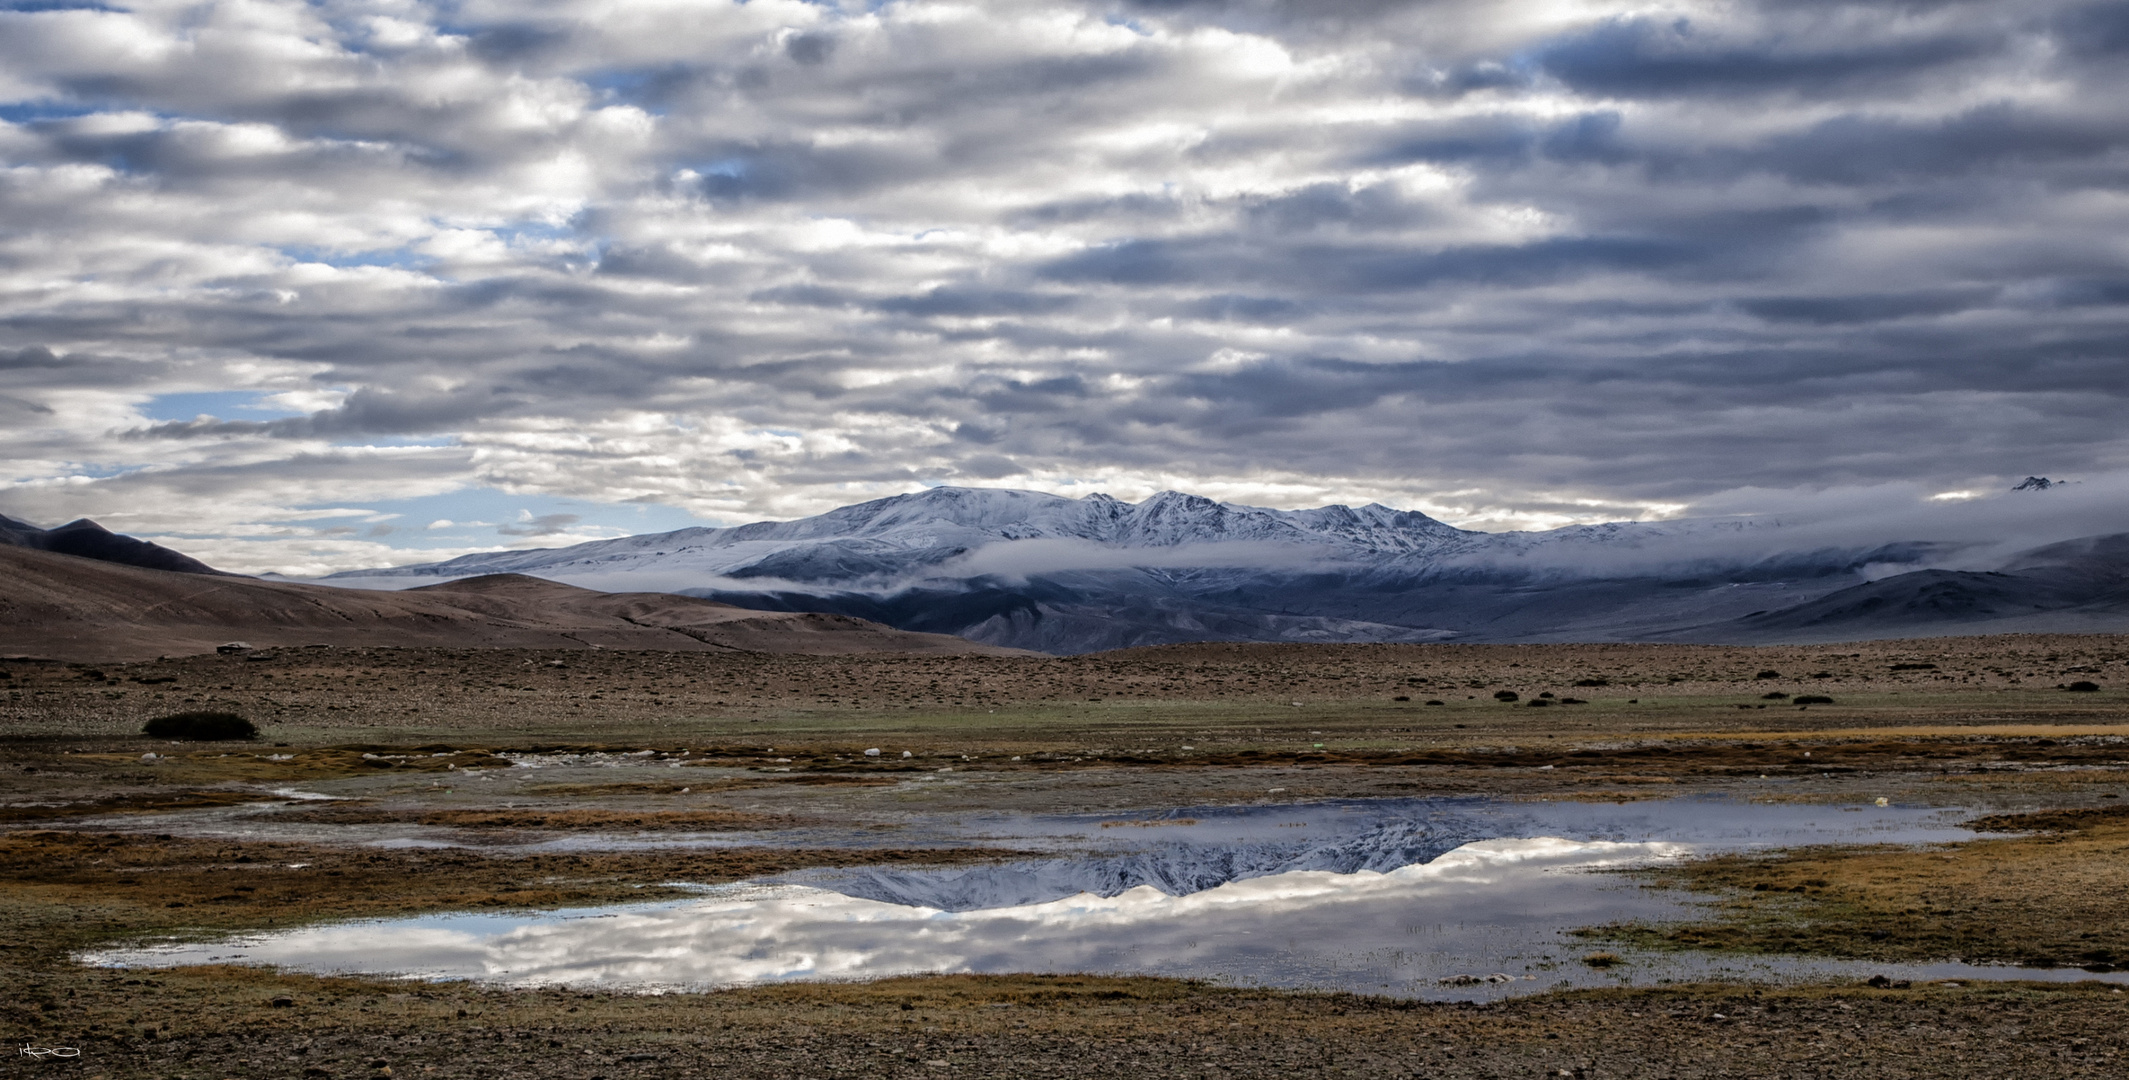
{"x":1072,"y":1028}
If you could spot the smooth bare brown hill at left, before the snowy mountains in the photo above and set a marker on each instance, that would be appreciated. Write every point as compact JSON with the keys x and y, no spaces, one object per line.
{"x":76,"y":608}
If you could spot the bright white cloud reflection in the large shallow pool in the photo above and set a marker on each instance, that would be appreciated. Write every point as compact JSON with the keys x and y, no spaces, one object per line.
{"x":1298,"y":930}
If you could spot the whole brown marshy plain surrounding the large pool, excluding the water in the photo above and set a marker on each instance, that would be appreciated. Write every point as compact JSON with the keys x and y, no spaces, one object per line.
{"x":103,"y":842}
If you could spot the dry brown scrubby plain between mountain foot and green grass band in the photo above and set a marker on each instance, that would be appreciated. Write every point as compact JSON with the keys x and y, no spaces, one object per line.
{"x":465,"y":691}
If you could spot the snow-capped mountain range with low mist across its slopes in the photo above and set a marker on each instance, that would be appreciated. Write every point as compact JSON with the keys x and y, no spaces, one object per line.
{"x":1057,"y":574}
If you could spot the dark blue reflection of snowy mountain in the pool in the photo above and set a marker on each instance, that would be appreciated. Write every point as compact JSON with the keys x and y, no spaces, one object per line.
{"x":1176,"y":868}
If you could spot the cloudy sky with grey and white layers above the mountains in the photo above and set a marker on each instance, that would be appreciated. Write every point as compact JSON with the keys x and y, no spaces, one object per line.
{"x":329,"y":284}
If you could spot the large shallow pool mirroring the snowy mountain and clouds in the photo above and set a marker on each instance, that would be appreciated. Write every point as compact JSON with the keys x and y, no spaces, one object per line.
{"x":1440,"y":900}
